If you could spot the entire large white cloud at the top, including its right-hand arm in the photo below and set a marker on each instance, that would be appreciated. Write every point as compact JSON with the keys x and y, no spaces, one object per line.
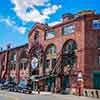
{"x":34,"y":15}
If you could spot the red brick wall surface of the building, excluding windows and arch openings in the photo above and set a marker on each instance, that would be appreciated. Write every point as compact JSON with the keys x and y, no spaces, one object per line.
{"x":86,"y":39}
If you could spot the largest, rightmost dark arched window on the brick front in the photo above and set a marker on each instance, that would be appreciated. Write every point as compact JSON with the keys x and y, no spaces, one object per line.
{"x":69,"y":53}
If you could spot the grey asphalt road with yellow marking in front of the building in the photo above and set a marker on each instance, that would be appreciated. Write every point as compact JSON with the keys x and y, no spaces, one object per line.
{"x":18,"y":96}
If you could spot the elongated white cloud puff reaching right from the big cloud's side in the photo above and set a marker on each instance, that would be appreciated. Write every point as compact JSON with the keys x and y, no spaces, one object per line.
{"x":51,"y":10}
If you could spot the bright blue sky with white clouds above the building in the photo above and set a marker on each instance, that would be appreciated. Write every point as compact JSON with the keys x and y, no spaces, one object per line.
{"x":17,"y":17}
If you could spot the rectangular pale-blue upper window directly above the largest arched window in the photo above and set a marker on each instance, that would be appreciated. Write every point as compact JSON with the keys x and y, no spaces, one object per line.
{"x":67,"y":29}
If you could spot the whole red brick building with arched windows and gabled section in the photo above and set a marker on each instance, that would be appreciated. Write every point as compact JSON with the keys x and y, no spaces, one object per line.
{"x":68,"y":51}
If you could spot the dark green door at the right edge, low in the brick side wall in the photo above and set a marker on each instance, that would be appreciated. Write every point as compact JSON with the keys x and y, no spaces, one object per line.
{"x":96,"y":80}
